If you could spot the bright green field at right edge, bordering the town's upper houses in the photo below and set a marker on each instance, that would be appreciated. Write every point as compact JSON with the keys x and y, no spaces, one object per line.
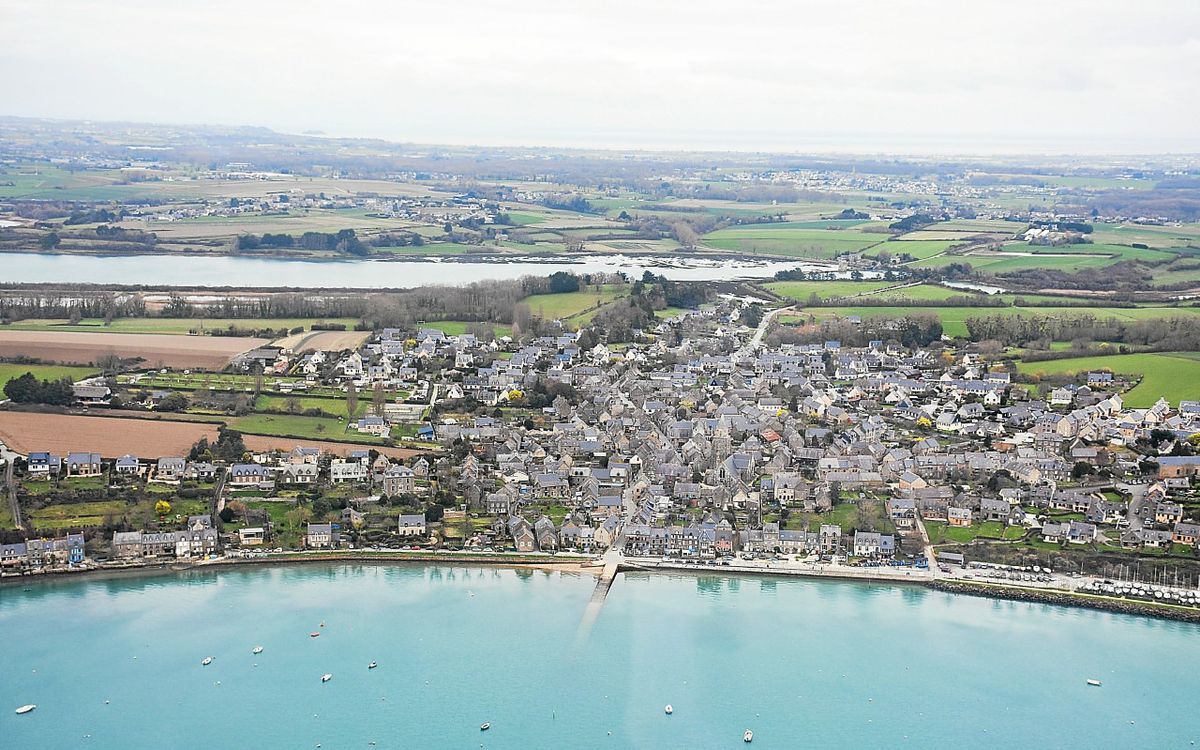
{"x":1172,"y":376}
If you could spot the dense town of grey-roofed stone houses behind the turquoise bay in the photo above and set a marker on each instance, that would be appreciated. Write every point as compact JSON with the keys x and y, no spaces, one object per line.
{"x":698,"y":442}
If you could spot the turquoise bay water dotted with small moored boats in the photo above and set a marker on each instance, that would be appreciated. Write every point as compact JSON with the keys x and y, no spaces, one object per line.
{"x":811,"y":664}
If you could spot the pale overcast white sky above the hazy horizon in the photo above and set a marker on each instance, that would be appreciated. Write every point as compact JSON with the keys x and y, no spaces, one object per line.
{"x":811,"y":76}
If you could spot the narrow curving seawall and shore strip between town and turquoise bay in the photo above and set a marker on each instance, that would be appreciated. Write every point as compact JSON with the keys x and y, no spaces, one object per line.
{"x":590,"y":566}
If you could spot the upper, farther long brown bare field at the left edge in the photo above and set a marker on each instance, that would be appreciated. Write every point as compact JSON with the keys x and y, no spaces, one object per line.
{"x":157,"y":350}
